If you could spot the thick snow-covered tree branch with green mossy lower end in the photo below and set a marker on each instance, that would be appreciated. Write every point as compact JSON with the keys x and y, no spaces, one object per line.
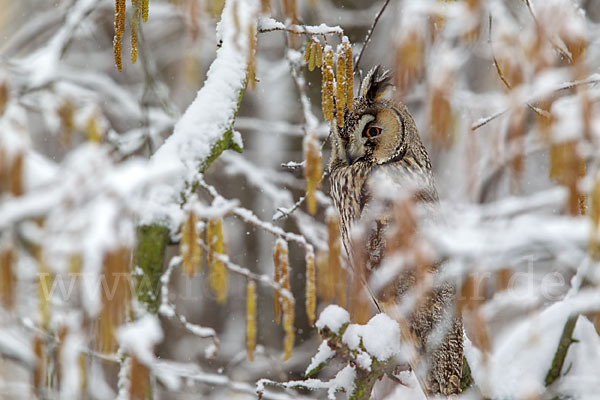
{"x":200,"y":136}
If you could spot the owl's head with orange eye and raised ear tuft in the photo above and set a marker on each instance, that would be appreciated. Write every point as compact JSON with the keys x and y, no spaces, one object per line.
{"x":377,"y":131}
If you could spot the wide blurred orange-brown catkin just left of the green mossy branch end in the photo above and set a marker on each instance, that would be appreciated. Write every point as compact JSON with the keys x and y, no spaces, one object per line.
{"x":116,"y":296}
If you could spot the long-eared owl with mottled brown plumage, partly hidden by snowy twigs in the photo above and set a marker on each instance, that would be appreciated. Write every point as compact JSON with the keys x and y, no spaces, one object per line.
{"x":378,"y":158}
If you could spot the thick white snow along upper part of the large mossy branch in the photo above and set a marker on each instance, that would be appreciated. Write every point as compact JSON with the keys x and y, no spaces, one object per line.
{"x":206,"y":128}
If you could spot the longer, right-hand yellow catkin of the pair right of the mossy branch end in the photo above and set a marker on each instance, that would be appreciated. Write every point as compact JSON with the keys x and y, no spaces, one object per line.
{"x":218,"y":279}
